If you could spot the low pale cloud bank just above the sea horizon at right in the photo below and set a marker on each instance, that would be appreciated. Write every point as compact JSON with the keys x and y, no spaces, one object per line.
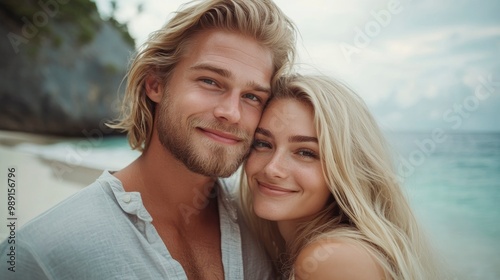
{"x":460,"y":107}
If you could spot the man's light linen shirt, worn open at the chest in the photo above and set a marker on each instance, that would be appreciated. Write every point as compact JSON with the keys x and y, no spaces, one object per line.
{"x":103,"y":232}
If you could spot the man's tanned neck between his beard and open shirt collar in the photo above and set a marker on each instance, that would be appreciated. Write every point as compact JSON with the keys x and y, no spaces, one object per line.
{"x":170,"y":192}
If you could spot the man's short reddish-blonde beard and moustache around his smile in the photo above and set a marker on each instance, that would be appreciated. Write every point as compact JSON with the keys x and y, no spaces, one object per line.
{"x":202,"y":156}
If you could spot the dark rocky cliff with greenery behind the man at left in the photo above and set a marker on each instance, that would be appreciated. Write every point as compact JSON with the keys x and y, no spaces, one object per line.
{"x":61,"y":66}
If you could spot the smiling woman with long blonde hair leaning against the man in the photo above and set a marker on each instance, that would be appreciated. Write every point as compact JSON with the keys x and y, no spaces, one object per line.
{"x":320,"y":191}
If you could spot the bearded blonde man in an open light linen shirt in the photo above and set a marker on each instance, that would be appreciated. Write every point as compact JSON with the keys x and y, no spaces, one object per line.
{"x":194,"y":97}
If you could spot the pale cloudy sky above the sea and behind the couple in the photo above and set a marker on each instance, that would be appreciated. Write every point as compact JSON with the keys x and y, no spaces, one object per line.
{"x":419,"y":65}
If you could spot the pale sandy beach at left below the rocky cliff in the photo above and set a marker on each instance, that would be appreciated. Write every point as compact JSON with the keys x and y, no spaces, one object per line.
{"x":40,"y":183}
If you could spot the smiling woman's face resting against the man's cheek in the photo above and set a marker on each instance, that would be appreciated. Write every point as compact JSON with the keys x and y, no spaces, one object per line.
{"x":284,"y":166}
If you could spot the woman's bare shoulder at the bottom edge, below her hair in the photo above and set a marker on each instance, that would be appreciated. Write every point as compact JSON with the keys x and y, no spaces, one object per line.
{"x":336,"y":259}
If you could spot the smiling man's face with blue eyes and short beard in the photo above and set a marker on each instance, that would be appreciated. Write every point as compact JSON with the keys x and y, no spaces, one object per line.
{"x":213,"y":102}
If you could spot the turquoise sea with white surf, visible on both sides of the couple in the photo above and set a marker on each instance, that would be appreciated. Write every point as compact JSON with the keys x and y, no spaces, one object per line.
{"x":452,"y":181}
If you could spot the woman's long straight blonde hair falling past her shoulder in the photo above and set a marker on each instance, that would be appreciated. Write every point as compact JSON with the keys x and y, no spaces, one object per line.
{"x":368,"y":206}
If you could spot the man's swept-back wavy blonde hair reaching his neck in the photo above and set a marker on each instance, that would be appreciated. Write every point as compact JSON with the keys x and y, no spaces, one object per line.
{"x":258,"y":19}
